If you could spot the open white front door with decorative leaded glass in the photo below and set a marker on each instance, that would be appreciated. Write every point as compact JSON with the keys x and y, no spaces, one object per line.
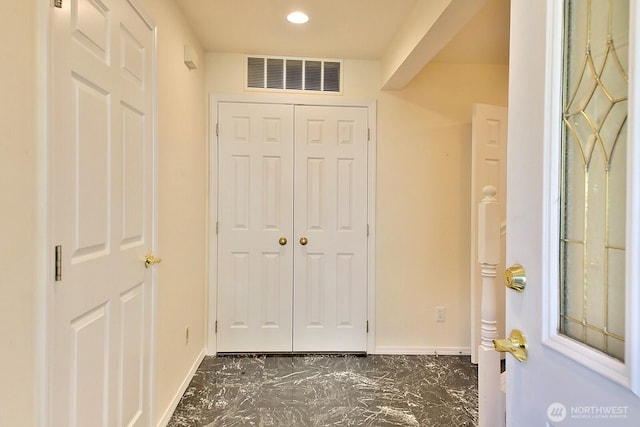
{"x":573,"y":212}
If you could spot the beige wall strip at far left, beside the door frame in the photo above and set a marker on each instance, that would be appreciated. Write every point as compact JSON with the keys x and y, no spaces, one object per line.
{"x":20,"y":226}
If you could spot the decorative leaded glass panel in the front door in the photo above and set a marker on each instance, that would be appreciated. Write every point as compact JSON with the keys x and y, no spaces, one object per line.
{"x":593,"y":193}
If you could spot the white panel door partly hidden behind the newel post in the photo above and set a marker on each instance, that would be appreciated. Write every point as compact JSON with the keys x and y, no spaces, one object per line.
{"x":488,"y":167}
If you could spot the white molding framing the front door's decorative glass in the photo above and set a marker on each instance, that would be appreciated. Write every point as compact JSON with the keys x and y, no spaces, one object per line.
{"x":625,"y":374}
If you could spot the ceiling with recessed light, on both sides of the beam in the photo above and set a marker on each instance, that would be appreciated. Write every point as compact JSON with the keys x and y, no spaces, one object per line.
{"x":355,"y":29}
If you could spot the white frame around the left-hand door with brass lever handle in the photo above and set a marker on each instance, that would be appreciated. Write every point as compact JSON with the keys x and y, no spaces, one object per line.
{"x":46,"y":253}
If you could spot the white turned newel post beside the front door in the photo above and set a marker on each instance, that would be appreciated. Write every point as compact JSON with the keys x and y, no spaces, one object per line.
{"x":490,"y":400}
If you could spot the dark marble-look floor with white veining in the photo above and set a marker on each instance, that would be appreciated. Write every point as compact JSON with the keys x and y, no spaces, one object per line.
{"x":375,"y":390}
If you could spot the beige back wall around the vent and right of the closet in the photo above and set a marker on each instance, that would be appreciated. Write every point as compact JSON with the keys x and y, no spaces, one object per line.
{"x":423,"y":192}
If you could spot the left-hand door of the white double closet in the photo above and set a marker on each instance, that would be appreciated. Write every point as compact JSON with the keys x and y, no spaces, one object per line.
{"x":255,"y":212}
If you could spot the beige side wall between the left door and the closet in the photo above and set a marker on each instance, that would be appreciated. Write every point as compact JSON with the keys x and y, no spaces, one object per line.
{"x":181,"y":291}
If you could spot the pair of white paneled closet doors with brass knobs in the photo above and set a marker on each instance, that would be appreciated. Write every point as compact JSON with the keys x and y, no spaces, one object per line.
{"x":292,"y":228}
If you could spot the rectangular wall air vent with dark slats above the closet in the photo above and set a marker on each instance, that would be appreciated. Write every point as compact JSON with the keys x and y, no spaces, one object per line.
{"x":294,"y":74}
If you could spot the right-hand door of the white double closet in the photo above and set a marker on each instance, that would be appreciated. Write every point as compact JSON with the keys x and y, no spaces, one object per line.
{"x":330,"y":307}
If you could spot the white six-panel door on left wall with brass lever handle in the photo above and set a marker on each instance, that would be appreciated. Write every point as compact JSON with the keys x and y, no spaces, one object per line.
{"x":102,"y":214}
